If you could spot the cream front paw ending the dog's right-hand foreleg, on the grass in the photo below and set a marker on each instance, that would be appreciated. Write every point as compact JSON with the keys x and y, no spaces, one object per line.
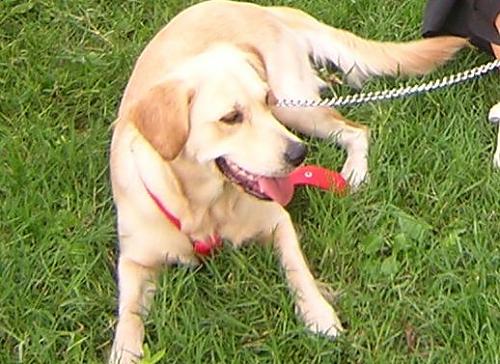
{"x":320,"y":318}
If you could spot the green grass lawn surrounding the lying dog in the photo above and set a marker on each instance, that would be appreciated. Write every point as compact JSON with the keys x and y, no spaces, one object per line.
{"x":414,"y":255}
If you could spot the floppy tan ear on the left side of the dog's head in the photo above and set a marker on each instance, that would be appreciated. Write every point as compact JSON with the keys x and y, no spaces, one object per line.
{"x":162,"y":117}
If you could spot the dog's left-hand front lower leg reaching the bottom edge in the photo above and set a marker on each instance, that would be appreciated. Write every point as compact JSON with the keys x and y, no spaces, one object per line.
{"x":137,"y":285}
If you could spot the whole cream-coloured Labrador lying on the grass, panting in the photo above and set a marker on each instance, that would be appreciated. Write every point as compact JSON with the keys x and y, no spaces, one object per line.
{"x":200,"y":144}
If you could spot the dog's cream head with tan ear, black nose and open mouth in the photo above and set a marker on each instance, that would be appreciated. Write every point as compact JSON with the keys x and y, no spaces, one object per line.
{"x":216,"y":110}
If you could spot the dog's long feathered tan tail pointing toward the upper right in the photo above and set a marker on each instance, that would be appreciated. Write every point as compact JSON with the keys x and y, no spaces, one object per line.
{"x":360,"y":58}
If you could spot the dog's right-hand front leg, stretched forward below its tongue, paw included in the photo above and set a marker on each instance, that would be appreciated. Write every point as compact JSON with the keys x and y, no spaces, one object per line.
{"x":316,"y":312}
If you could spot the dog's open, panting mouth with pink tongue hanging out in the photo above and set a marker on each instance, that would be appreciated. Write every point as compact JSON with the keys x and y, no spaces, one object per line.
{"x":278,"y":189}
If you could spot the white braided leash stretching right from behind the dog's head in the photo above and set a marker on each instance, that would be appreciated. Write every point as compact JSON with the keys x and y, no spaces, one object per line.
{"x":395,"y":93}
